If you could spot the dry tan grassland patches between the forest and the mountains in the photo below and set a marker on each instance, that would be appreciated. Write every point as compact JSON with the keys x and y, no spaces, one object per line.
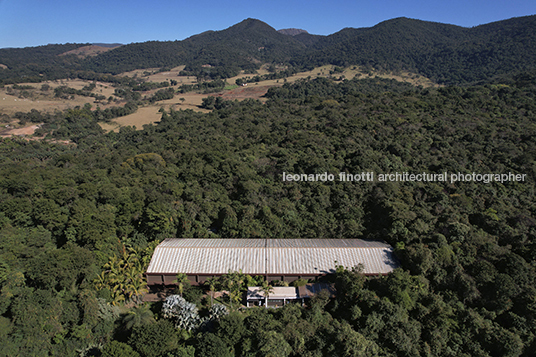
{"x":12,"y":101}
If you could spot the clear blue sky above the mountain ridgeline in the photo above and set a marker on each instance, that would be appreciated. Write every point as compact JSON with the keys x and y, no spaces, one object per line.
{"x":39,"y":22}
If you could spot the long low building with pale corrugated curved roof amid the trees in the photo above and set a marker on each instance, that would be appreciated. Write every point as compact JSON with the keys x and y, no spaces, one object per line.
{"x":276,"y":259}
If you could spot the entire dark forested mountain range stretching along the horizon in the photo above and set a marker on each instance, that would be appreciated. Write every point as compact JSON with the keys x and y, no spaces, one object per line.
{"x":447,"y":54}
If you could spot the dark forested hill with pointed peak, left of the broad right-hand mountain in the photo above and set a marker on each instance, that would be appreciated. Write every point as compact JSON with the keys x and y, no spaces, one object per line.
{"x":216,"y":53}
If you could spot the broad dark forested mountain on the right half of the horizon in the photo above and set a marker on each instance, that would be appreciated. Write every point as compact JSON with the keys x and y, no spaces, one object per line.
{"x":445,"y":53}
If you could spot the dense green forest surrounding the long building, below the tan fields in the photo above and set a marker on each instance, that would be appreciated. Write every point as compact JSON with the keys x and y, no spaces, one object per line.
{"x":77,"y":222}
